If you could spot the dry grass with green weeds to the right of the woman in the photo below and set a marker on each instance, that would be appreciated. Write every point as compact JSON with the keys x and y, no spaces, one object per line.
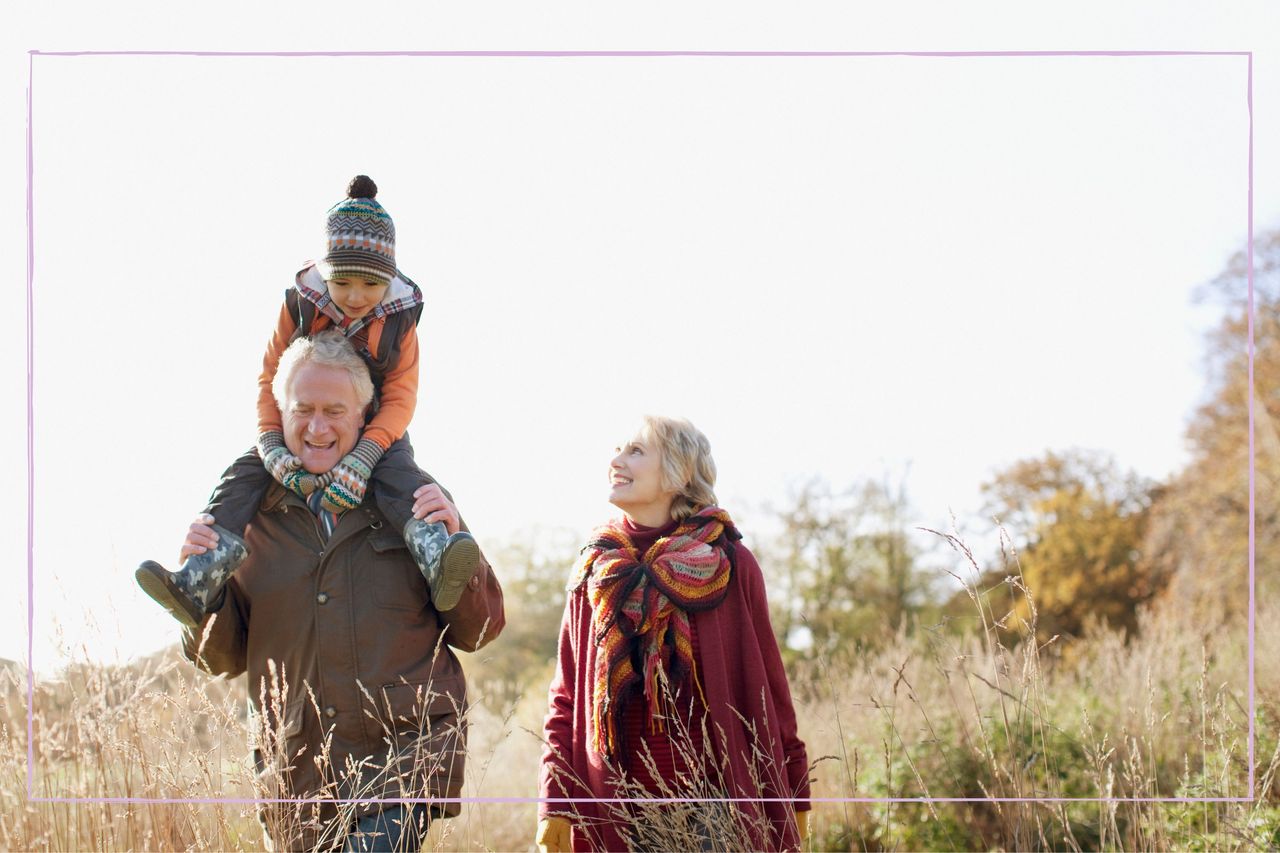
{"x":985,"y":713}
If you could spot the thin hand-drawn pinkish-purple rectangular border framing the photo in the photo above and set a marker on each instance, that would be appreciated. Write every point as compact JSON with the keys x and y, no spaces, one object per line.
{"x":31,"y":478}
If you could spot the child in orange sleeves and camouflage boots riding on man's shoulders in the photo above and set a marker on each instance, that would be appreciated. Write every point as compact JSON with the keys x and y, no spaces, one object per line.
{"x":356,"y":289}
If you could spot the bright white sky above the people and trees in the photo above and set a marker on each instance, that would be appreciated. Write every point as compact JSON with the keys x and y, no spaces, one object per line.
{"x":835,"y":267}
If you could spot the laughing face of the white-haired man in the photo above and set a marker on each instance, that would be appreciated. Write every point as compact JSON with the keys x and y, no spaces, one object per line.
{"x":322,"y":417}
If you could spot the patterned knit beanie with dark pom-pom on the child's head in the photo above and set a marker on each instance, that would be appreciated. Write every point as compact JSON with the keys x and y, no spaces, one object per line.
{"x":362,"y":236}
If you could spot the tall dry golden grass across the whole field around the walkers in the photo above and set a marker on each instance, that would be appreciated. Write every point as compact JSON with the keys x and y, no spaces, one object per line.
{"x":975,"y":711}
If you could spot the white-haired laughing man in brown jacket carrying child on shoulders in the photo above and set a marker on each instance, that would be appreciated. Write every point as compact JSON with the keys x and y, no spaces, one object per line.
{"x":356,"y":691}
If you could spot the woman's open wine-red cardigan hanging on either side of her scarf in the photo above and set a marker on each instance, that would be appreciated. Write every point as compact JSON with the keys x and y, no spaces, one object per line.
{"x":740,"y":670}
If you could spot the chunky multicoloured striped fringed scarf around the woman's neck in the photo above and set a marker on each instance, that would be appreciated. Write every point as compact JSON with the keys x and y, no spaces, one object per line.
{"x":641,"y":606}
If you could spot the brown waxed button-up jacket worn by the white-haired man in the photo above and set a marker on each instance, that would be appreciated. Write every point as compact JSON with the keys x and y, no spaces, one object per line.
{"x":355,"y":690}
